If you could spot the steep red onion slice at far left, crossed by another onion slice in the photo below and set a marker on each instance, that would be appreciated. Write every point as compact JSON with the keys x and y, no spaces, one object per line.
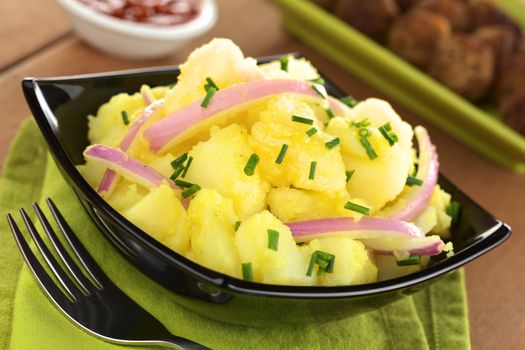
{"x":110,"y":178}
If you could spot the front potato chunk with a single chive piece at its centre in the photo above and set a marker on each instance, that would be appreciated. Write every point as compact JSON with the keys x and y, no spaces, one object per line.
{"x":286,"y":265}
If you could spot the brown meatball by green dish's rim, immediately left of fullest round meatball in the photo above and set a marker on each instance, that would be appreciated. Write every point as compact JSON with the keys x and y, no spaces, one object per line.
{"x":415,"y":36}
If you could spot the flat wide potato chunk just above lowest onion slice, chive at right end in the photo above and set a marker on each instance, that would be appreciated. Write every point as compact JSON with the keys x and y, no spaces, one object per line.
{"x":291,"y":204}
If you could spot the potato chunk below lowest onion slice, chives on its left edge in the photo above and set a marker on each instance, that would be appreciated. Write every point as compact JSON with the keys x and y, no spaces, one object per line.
{"x":353,"y":263}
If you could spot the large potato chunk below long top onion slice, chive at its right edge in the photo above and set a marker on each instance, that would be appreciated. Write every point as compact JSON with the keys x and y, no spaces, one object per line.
{"x":219,"y":164}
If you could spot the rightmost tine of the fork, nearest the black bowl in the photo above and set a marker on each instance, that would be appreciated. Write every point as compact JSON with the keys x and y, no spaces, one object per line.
{"x":83,"y":256}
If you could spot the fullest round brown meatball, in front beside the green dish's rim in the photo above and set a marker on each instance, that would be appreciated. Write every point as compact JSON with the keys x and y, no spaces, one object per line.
{"x":465,"y":64}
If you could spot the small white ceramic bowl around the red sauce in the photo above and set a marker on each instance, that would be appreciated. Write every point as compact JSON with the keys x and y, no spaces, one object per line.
{"x":132,"y":40}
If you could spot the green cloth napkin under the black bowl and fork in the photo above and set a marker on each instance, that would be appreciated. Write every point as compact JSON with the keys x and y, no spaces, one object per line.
{"x":434,"y":318}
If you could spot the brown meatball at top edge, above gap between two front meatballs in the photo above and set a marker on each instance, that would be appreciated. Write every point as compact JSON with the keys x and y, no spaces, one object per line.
{"x":457,"y":12}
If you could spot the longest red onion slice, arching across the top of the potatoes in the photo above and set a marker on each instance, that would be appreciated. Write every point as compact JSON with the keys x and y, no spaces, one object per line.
{"x":164,"y":132}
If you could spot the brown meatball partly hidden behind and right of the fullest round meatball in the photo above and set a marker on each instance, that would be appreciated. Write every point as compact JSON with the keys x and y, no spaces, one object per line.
{"x":501,"y":38}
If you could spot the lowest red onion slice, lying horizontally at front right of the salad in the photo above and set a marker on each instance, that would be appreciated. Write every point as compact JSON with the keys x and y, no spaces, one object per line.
{"x":382,"y":235}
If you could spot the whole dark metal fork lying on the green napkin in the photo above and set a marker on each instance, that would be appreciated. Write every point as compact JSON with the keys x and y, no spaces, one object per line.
{"x":88,"y":298}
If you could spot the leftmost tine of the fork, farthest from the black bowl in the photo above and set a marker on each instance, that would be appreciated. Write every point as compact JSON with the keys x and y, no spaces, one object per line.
{"x":46,"y":282}
